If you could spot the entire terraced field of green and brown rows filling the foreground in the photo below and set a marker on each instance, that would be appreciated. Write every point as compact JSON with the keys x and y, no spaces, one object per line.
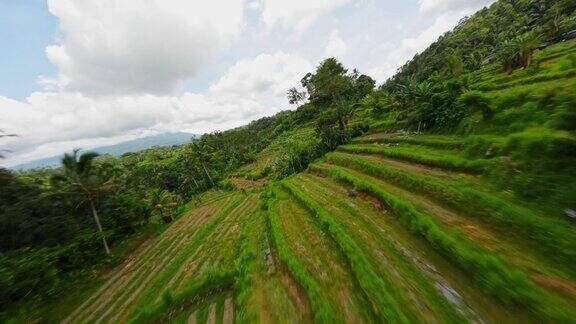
{"x":390,"y":228}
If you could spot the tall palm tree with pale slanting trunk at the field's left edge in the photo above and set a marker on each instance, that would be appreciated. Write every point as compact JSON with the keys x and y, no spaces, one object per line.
{"x":81,"y":177}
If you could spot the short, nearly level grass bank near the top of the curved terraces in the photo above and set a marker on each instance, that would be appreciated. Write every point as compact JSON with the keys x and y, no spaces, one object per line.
{"x":435,"y":158}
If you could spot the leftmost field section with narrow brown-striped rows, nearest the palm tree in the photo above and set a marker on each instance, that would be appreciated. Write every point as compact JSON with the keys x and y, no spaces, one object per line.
{"x":164,"y":266}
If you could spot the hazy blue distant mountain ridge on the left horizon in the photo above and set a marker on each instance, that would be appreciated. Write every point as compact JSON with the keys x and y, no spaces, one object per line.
{"x":139,"y":144}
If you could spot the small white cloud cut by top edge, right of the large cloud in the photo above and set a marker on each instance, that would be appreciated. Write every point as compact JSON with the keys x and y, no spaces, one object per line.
{"x":297,"y":14}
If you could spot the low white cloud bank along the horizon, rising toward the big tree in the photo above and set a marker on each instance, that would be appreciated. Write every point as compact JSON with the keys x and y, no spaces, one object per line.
{"x":50,"y":123}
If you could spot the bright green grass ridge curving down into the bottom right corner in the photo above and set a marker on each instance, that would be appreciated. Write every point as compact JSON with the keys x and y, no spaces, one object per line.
{"x":490,"y":273}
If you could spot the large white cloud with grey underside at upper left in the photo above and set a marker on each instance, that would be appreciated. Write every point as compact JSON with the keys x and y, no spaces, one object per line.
{"x":134,"y":46}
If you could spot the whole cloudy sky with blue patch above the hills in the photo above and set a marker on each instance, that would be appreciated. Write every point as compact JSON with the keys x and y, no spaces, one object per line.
{"x":87,"y":73}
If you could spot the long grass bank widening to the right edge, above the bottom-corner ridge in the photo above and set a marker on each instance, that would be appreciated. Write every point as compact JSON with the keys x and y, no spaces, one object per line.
{"x":555,"y":240}
